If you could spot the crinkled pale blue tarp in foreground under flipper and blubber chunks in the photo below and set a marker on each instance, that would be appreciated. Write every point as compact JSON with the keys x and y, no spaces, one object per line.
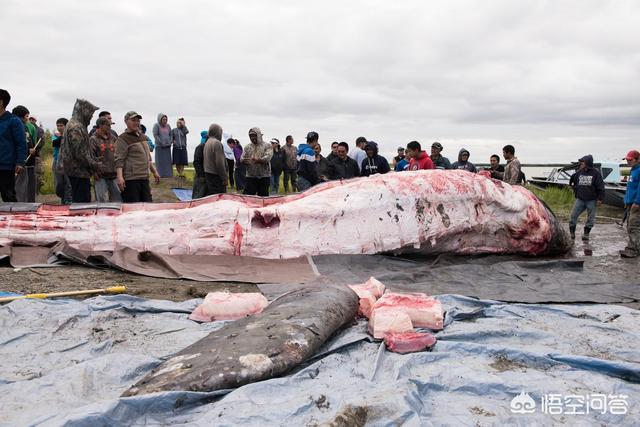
{"x":66,"y":362}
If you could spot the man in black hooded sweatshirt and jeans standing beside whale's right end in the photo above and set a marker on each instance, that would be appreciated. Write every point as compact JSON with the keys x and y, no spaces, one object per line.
{"x":588,"y":186}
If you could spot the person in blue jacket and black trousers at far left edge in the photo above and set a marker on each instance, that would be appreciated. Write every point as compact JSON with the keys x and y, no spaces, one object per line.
{"x":13,"y":149}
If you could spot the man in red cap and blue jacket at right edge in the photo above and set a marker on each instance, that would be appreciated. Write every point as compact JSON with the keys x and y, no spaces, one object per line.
{"x":632,"y":203}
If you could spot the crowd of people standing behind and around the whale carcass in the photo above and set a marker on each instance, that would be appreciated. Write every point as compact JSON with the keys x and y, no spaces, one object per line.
{"x":120,"y":165}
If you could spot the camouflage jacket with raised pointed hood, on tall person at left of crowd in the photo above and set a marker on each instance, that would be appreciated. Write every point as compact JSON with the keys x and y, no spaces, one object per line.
{"x":78,"y":159}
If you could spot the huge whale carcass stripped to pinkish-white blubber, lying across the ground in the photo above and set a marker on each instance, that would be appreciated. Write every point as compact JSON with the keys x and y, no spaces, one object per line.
{"x":431,"y":211}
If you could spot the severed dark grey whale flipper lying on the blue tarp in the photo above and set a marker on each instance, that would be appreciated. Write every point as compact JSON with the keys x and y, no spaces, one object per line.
{"x":288,"y":332}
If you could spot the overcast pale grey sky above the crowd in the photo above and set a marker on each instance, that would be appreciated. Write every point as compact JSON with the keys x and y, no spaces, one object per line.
{"x":558,"y":79}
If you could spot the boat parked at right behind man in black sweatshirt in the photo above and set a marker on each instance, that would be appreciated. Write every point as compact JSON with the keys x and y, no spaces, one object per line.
{"x":614,"y":188}
